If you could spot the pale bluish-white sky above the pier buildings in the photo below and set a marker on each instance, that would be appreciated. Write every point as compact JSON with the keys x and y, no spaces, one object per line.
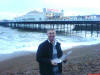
{"x":14,"y":8}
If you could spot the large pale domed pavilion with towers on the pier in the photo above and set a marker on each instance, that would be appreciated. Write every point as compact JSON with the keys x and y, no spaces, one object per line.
{"x":47,"y":14}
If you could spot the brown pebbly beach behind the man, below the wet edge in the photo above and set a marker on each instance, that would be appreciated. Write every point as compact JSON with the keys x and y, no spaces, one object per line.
{"x":83,"y":60}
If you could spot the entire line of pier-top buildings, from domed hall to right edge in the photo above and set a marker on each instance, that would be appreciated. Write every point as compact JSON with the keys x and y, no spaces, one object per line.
{"x":48,"y":14}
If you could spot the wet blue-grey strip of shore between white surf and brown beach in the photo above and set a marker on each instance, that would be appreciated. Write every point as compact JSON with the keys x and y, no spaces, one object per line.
{"x":24,"y":53}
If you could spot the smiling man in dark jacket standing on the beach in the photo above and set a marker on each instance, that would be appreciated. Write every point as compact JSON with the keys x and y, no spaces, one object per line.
{"x":47,"y":51}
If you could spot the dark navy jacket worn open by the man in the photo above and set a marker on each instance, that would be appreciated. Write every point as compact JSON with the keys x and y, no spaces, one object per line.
{"x":44,"y":57}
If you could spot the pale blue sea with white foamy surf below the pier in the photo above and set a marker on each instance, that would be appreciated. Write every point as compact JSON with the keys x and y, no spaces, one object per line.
{"x":16,"y":41}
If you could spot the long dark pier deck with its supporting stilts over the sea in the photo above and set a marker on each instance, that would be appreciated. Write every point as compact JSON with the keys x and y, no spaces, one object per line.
{"x":66,"y":27}
